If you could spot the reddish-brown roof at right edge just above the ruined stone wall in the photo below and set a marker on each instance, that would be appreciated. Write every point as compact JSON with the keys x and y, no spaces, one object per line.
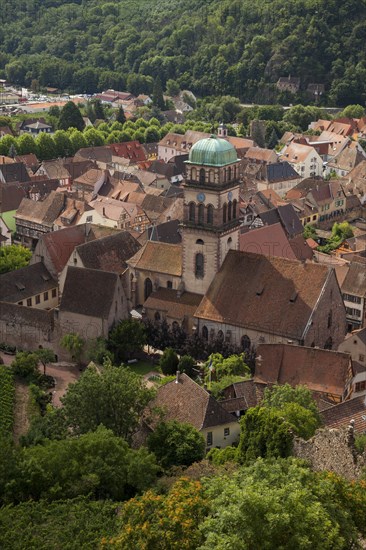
{"x":341,"y":415}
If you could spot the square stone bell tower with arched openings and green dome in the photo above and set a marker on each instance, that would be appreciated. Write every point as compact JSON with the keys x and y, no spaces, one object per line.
{"x":211,"y":211}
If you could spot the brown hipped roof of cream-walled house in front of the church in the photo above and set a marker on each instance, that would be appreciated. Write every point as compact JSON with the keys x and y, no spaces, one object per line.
{"x":186,"y":401}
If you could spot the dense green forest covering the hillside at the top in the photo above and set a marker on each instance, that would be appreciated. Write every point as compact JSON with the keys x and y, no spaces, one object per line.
{"x":214,"y":47}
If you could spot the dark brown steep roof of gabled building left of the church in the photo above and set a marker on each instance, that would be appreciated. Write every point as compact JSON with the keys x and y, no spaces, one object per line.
{"x":88,"y":292}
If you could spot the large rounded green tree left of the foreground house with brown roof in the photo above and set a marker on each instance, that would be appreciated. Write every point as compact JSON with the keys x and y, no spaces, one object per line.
{"x":113,"y":396}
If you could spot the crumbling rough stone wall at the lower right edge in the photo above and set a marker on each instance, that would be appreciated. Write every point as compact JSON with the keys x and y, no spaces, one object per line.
{"x":332,"y":449}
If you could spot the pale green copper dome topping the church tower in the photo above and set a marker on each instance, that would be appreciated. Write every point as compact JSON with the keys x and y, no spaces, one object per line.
{"x":212,"y":151}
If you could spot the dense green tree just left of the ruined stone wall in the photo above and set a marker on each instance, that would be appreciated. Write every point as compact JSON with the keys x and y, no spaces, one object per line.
{"x":264,"y":433}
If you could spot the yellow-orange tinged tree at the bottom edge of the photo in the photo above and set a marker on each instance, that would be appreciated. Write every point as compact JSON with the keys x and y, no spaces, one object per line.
{"x":167,"y":522}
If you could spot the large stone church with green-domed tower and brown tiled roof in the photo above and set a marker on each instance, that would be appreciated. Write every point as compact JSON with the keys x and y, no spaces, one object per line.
{"x":206,"y":284}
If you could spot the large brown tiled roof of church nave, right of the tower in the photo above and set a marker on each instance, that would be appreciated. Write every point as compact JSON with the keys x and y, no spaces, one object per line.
{"x":247,"y":284}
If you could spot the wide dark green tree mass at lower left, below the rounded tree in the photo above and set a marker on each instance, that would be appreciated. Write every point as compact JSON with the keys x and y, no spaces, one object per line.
{"x":97,"y":463}
